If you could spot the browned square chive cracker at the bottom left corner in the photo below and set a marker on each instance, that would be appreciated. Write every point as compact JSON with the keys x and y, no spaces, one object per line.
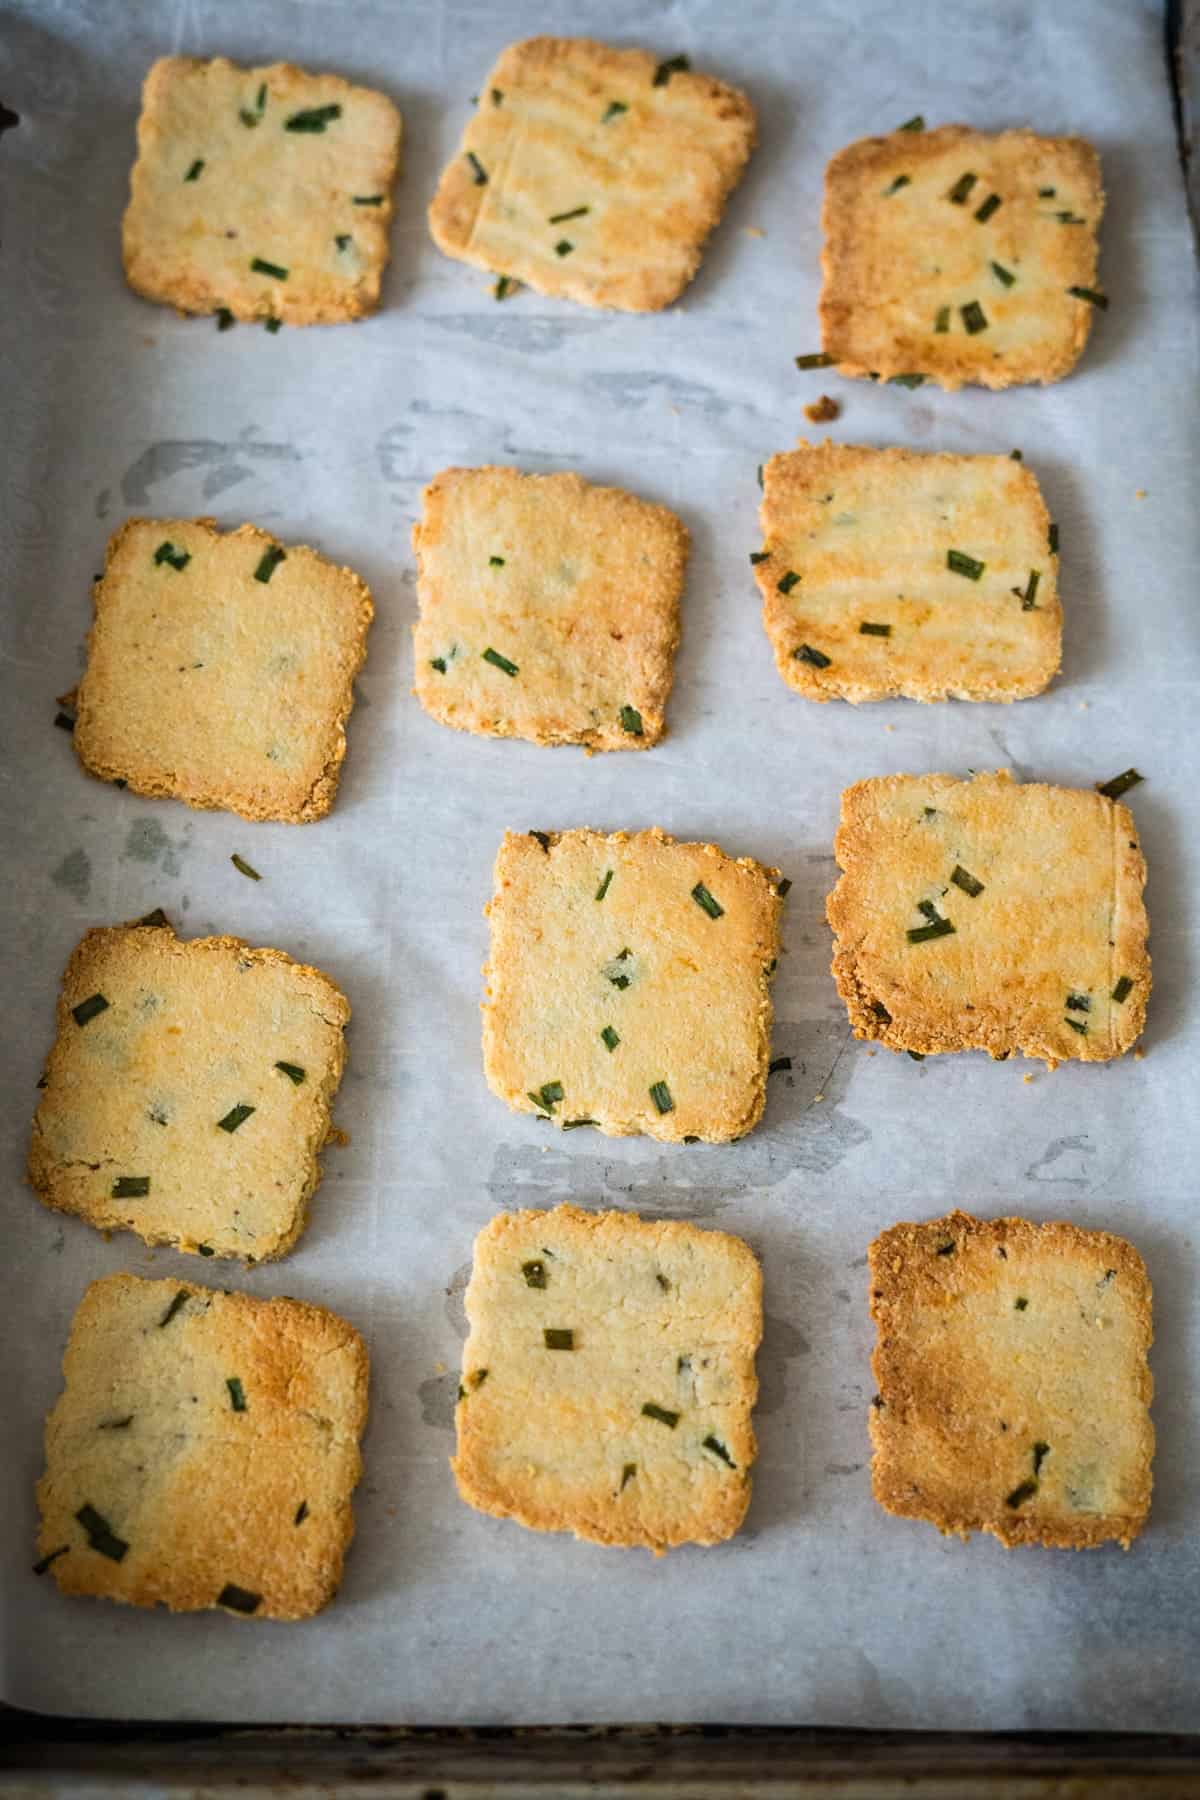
{"x":204,"y":1452}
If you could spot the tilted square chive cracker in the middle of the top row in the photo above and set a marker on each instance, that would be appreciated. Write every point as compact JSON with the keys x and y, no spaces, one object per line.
{"x":593,"y":174}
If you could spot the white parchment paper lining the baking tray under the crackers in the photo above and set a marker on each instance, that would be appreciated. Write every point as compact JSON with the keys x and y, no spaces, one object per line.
{"x":823,"y":1610}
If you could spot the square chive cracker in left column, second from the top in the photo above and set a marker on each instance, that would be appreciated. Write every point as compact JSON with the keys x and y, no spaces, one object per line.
{"x":222,"y":669}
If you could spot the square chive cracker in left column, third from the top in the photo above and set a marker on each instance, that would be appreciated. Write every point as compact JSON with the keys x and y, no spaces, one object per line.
{"x":141,"y":1122}
